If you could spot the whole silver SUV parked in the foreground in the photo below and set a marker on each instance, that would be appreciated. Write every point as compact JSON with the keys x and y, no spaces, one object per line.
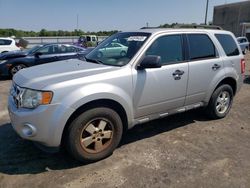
{"x":86,"y":105}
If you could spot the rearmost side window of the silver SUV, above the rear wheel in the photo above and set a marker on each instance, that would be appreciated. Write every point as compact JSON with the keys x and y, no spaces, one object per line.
{"x":228,"y":44}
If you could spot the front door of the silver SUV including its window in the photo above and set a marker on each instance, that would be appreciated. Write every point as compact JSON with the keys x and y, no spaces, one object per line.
{"x":159,"y":90}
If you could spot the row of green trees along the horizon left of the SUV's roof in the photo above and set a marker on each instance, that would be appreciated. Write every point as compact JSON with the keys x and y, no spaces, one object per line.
{"x":47,"y":33}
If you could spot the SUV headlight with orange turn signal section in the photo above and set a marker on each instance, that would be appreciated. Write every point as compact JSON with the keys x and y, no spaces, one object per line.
{"x":33,"y":98}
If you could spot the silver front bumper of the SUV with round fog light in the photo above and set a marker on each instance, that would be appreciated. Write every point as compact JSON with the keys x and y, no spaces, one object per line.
{"x":44,"y":124}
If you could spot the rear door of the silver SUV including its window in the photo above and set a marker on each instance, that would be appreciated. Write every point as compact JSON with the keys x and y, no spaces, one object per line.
{"x":204,"y":65}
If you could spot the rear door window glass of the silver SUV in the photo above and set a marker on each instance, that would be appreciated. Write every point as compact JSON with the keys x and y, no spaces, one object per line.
{"x":201,"y":47}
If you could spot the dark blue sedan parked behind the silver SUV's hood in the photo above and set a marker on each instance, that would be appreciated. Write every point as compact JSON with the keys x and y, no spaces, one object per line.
{"x":12,"y":62}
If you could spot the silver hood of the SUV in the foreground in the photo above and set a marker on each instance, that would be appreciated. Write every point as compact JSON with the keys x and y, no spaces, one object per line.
{"x":41,"y":76}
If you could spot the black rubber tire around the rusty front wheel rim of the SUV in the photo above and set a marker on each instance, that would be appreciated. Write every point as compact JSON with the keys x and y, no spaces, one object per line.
{"x":79,"y":124}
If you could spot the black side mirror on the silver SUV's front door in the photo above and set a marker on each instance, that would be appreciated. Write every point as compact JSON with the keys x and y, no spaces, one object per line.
{"x":150,"y":61}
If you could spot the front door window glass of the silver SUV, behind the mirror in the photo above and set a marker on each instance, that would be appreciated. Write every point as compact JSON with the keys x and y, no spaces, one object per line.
{"x":169,"y":48}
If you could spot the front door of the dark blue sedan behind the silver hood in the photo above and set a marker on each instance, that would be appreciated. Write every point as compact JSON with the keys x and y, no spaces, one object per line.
{"x":48,"y":53}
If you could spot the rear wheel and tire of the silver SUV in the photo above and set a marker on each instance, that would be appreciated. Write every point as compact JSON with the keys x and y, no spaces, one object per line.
{"x":218,"y":107}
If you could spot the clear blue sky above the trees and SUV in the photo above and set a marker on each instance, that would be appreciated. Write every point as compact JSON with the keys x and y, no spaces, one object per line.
{"x":96,"y":15}
